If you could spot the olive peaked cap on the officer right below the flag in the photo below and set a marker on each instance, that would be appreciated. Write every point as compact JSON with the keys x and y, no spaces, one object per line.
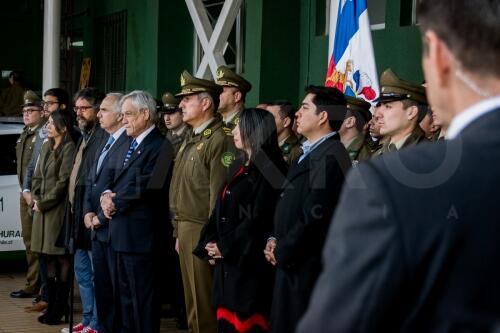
{"x":395,"y":89}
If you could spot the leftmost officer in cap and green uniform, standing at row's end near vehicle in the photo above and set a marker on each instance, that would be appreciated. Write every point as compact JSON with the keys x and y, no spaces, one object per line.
{"x":33,"y":120}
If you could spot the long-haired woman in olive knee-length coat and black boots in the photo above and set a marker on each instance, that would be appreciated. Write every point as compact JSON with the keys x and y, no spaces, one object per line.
{"x":50,"y":188}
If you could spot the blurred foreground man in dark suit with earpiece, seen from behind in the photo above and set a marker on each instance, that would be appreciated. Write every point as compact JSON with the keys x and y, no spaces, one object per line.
{"x":415,"y":243}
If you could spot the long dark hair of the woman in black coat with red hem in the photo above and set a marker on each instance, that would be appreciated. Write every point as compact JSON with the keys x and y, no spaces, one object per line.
{"x":258,"y":133}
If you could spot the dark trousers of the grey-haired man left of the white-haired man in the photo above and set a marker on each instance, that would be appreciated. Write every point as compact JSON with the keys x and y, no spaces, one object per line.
{"x":106,"y":291}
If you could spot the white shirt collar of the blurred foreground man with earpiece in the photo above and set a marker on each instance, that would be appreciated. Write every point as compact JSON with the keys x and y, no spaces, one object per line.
{"x":465,"y":118}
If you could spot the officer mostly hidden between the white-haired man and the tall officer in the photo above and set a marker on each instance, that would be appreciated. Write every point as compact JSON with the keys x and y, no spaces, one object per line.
{"x":177,"y":130}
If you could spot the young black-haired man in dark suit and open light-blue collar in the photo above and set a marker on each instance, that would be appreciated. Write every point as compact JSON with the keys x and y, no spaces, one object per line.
{"x":305,"y":208}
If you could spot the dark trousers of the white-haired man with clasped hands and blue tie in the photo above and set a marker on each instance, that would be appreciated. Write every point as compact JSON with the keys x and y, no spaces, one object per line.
{"x":135,"y":287}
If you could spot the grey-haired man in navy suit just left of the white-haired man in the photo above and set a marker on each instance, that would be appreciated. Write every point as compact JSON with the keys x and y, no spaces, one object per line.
{"x":103,"y":260}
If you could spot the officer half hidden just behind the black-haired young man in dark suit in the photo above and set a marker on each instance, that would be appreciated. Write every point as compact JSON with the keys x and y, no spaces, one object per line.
{"x":352,"y":132}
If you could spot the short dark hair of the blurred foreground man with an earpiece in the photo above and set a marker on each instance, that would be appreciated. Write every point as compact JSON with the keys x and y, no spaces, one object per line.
{"x":470,"y":29}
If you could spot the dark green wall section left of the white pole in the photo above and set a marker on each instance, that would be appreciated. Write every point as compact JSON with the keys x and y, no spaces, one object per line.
{"x":21,"y":40}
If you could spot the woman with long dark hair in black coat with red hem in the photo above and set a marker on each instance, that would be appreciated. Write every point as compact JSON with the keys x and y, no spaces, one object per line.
{"x":240,"y":224}
